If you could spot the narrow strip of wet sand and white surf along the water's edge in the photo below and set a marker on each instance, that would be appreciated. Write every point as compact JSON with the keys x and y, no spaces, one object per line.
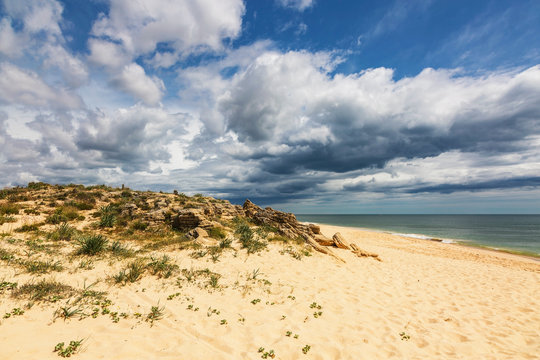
{"x":461,"y":242}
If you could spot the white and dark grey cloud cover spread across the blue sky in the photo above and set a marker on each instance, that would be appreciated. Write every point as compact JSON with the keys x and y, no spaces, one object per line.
{"x":248,"y":121}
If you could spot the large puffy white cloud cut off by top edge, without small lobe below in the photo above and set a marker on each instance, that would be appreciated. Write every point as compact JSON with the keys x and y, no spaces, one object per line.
{"x":183,"y":25}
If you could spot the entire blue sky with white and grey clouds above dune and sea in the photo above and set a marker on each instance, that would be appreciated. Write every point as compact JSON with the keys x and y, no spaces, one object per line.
{"x":308,"y":106}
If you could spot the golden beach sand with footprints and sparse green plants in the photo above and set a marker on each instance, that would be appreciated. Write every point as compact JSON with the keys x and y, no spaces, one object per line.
{"x":423,"y":300}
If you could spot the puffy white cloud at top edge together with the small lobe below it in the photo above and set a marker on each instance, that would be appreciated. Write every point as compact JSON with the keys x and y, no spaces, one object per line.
{"x":181,"y":27}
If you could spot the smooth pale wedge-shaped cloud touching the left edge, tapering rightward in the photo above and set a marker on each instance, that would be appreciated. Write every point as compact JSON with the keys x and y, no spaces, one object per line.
{"x":24,"y":87}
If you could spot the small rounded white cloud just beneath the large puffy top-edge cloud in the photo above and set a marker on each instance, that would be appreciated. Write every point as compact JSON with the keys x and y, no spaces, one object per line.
{"x":134,"y":81}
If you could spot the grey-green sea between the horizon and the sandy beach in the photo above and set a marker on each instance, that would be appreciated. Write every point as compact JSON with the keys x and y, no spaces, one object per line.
{"x":516,"y":233}
